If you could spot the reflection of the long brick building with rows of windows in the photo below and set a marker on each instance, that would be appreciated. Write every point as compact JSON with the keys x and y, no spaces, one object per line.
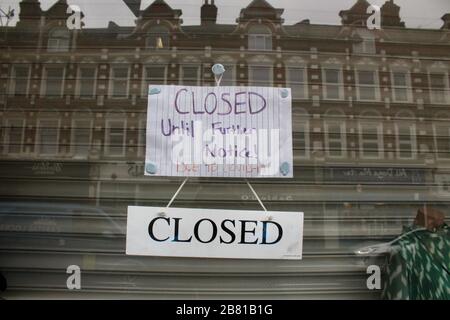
{"x":370,"y":121}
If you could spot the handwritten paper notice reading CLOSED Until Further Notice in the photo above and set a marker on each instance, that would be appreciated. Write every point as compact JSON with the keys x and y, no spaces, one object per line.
{"x":219,"y":132}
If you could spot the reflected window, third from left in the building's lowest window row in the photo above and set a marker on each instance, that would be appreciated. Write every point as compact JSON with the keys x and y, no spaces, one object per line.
{"x":81,"y":137}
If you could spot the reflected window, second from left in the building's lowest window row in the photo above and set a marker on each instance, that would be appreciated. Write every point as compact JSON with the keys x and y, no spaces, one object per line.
{"x":48,"y":131}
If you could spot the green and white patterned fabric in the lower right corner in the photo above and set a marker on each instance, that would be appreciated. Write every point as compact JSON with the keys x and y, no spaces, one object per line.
{"x":418,"y":266}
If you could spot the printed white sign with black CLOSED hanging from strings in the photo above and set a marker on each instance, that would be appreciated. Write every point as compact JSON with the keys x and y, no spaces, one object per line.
{"x":204,"y":233}
